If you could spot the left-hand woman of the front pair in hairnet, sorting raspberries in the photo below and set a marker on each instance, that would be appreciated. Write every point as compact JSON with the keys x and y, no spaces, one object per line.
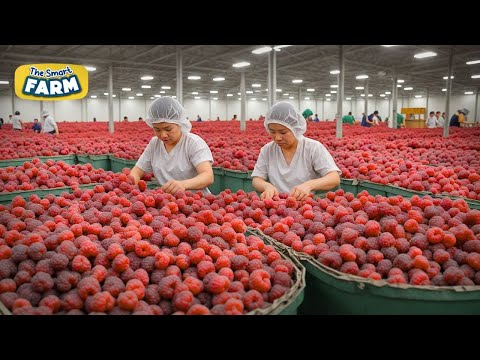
{"x":178,"y":159}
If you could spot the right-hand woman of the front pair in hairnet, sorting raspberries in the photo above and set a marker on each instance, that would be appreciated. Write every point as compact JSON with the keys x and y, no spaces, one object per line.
{"x":292,"y":163}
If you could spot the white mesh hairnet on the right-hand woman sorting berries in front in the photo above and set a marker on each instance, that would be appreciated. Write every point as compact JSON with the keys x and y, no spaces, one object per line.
{"x":284,"y":113}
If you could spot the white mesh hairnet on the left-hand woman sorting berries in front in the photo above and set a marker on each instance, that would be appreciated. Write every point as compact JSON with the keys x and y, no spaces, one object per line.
{"x":167,"y":109}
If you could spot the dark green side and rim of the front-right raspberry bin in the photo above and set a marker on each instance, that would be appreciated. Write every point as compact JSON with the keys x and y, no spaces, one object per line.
{"x":332,"y":292}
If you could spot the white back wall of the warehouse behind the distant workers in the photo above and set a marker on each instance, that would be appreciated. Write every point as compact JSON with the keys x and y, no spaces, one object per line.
{"x":87,"y":108}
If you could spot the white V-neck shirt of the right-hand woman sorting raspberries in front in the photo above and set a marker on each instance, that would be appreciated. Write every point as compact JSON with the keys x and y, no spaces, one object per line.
{"x":311,"y":161}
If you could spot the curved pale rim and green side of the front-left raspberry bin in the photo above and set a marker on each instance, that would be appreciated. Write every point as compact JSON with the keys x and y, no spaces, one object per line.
{"x":289,"y":303}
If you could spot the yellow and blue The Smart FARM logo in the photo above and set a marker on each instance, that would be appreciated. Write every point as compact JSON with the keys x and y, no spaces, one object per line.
{"x":51,"y":82}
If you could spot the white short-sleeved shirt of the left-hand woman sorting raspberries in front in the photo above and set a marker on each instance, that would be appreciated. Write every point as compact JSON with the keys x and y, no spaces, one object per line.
{"x":180,"y":163}
